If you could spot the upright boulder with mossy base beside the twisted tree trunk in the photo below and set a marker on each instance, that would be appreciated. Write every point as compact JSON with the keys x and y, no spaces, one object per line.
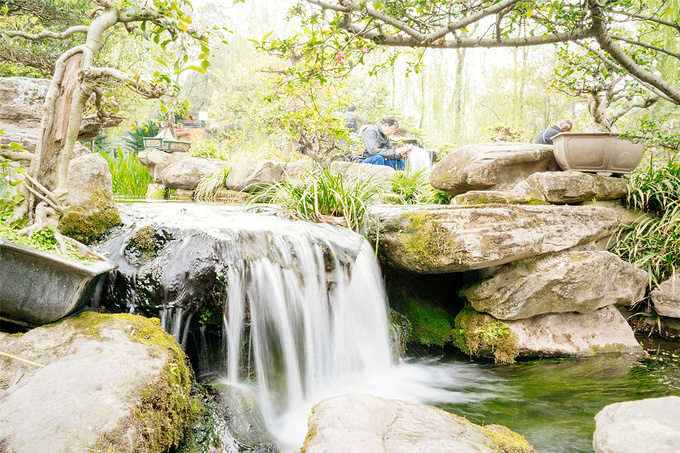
{"x":91,"y":210}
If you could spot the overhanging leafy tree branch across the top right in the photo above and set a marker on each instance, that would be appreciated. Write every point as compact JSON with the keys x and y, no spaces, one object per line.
{"x":640,"y":38}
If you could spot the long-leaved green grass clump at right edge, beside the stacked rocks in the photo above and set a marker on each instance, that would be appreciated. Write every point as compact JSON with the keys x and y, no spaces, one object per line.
{"x":652,"y":242}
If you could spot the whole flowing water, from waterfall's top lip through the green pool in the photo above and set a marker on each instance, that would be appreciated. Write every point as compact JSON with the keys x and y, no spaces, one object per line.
{"x":304,"y":317}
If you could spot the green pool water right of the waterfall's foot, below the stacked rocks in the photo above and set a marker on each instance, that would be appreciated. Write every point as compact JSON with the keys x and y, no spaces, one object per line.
{"x":553,"y":402}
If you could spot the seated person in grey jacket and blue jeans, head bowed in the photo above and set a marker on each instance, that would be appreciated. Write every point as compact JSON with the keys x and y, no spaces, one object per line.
{"x":379,"y":149}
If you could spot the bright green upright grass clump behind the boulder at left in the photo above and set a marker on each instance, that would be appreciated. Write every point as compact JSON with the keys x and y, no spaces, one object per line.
{"x":130,"y":178}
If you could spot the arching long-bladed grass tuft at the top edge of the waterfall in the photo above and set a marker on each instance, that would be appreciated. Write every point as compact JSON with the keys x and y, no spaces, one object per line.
{"x":321,"y":195}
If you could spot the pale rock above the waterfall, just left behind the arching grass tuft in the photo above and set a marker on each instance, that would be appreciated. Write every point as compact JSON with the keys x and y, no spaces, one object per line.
{"x":247,"y":175}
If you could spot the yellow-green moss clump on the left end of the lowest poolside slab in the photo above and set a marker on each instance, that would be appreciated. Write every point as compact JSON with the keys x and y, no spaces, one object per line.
{"x":478,"y":334}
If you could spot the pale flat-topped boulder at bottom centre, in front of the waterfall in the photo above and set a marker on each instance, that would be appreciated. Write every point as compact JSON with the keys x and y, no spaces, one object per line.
{"x":365,"y":423}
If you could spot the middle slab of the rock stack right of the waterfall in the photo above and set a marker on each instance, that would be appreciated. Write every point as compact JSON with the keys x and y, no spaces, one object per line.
{"x":558,"y":283}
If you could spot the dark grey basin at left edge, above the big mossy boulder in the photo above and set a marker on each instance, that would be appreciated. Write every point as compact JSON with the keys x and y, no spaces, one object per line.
{"x":38,"y":288}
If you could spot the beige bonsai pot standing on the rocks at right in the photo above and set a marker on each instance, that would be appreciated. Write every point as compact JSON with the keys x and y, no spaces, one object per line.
{"x":603,"y":153}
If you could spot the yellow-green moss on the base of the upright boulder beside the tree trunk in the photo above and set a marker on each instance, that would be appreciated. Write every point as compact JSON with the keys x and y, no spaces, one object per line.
{"x":87,"y":228}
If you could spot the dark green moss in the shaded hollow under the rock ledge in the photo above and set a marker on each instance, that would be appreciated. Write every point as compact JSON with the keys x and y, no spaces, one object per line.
{"x":430,"y":325}
